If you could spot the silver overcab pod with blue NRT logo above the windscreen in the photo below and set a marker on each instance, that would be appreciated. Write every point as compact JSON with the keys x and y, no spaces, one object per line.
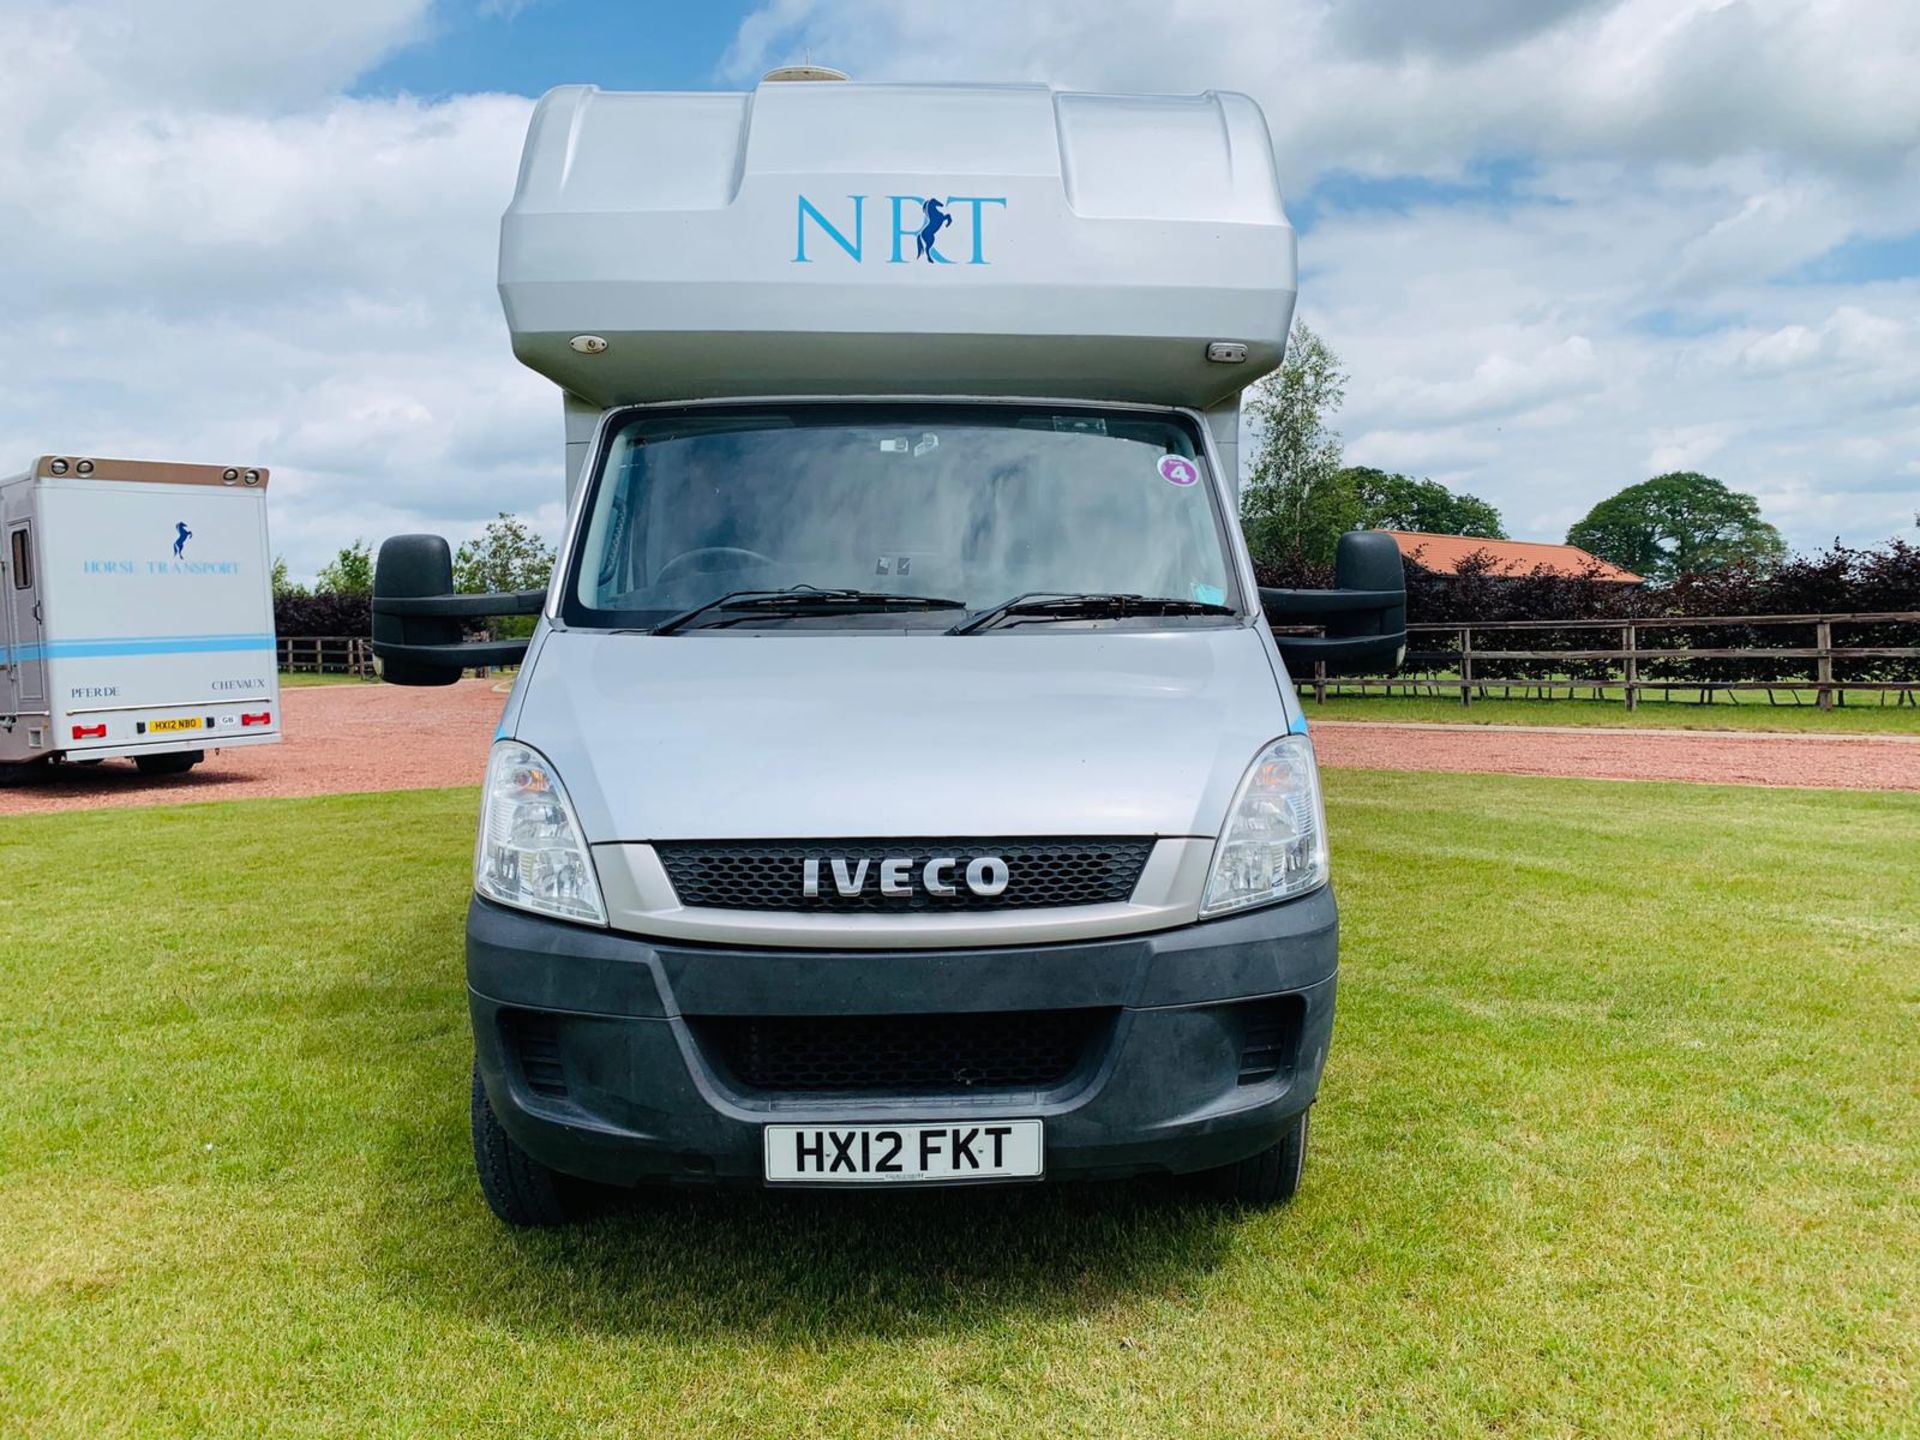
{"x":840,"y":239}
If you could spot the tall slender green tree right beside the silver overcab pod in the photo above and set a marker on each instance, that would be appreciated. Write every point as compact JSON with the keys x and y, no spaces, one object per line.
{"x":1291,"y":506}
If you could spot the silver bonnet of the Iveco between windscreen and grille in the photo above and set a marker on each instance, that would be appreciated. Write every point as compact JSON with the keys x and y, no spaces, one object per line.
{"x":825,"y":736}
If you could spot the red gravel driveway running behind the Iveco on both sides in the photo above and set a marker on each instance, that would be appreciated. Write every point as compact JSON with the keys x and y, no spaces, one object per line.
{"x":360,"y":738}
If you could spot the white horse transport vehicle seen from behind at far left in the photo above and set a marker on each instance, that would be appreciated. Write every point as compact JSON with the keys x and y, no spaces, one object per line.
{"x":135,"y":613}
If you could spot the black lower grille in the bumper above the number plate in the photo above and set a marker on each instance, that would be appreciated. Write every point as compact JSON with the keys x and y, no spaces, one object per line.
{"x":903,"y":1055}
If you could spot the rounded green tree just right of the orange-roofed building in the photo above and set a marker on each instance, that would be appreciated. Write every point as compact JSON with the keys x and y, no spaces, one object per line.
{"x":1675,"y":525}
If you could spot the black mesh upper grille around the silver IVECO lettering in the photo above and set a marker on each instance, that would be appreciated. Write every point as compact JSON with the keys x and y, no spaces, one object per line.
{"x":771,"y":876}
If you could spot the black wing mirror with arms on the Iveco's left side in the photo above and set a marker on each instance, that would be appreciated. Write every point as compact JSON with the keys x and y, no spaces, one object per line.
{"x":418,"y":617}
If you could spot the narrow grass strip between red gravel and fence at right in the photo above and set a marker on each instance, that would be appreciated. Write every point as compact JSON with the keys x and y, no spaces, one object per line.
{"x":1861,"y":715}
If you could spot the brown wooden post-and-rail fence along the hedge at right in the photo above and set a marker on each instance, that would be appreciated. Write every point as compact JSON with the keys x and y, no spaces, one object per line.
{"x":1656,"y":654}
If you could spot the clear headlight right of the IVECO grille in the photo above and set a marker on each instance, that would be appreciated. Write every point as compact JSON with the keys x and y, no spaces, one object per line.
{"x":1274,"y":844}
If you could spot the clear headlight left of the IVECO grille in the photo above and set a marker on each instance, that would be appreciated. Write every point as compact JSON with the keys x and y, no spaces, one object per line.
{"x":531,"y":852}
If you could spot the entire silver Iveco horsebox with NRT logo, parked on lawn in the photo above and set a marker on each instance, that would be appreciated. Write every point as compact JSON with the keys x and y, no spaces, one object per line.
{"x":903,"y":782}
